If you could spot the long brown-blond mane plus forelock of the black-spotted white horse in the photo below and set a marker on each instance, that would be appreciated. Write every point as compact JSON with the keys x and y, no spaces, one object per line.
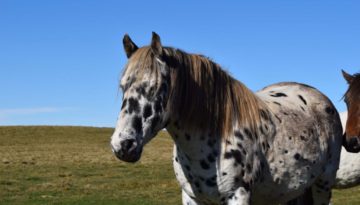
{"x":202,"y":94}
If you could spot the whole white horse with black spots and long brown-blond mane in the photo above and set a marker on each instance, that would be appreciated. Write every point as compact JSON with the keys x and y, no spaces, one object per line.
{"x":232,"y":146}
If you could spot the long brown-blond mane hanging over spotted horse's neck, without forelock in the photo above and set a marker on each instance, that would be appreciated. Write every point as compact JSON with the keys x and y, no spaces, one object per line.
{"x":203,"y":95}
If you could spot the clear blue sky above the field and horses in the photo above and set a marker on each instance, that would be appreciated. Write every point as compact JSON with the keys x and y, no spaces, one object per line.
{"x":60,"y":61}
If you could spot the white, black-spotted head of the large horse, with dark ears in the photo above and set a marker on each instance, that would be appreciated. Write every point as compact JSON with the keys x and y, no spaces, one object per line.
{"x":145,"y":84}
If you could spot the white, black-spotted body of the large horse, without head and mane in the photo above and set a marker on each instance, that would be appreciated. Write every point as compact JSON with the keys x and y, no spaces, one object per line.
{"x":290,"y":153}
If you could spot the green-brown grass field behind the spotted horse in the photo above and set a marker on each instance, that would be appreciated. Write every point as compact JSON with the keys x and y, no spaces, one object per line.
{"x":74,"y":165}
